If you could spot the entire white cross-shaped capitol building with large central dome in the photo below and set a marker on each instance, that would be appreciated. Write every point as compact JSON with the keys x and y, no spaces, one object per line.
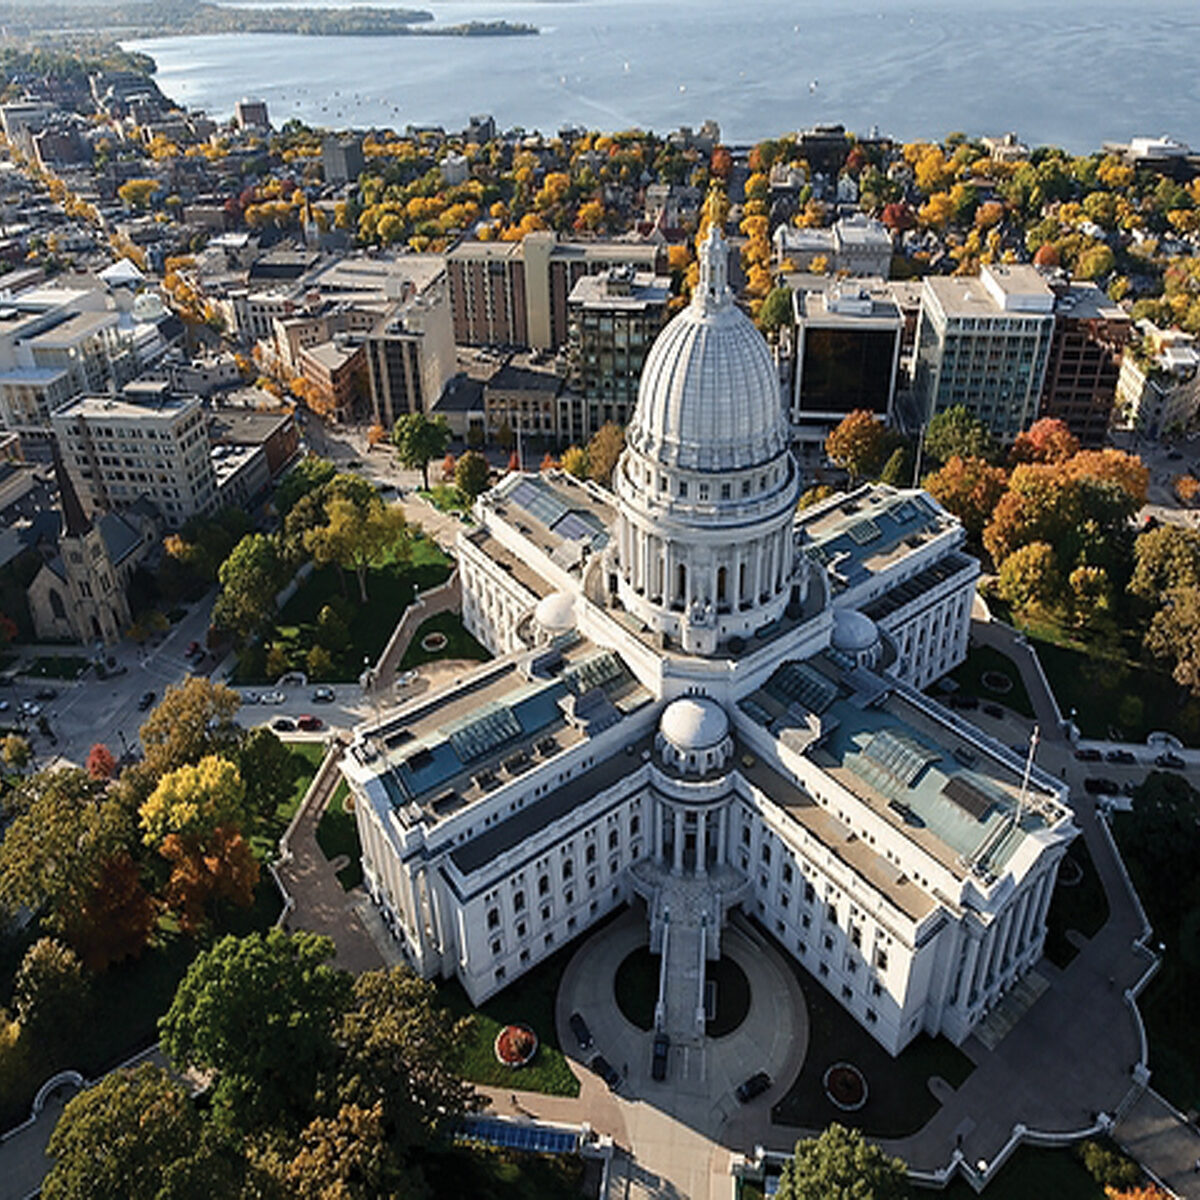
{"x":705,"y":700}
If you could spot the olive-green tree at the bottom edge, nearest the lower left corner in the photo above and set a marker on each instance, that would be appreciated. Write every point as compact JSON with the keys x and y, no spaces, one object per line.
{"x":137,"y":1136}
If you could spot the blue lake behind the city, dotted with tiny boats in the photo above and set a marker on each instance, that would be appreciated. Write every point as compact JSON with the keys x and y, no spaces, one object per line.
{"x":1069,"y":74}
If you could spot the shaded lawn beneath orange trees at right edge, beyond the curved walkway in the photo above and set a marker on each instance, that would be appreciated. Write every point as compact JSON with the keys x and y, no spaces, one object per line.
{"x":1119,"y":693}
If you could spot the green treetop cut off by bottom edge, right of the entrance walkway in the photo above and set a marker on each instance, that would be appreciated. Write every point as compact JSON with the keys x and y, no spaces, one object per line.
{"x":842,"y":1166}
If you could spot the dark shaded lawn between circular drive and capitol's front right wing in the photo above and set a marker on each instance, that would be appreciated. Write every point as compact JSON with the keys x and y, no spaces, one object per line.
{"x":899,"y":1100}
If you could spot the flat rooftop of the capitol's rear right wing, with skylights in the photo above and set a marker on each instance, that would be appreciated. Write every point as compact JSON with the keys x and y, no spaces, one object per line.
{"x":861,"y":533}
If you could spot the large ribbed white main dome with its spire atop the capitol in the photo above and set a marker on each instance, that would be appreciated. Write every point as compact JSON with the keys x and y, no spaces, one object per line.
{"x":710,"y":394}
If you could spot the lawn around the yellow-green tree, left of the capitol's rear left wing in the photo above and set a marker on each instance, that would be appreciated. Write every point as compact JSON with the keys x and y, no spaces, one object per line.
{"x":391,"y":590}
